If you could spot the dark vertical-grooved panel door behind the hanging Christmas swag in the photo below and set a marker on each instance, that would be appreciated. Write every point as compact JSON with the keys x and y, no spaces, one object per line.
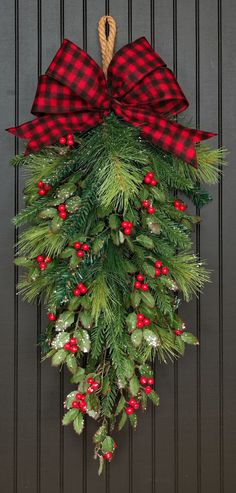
{"x":189,"y":442}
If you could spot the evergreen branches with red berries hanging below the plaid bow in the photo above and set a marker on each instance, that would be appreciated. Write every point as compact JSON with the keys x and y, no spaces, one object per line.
{"x":109,"y":250}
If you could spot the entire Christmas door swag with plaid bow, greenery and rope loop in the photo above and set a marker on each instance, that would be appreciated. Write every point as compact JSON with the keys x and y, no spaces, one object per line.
{"x":108,"y":247}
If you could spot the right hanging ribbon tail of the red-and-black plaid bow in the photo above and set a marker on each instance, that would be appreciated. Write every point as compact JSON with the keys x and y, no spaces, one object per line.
{"x":167,"y":134}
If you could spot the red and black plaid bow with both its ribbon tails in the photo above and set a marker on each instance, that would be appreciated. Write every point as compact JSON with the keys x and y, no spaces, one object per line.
{"x":75,"y":96}
